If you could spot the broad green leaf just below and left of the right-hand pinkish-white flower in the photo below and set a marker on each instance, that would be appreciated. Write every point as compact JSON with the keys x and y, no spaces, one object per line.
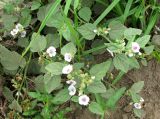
{"x":121,"y":62}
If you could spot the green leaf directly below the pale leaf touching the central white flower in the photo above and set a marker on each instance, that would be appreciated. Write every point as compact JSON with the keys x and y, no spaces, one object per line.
{"x":52,"y":83}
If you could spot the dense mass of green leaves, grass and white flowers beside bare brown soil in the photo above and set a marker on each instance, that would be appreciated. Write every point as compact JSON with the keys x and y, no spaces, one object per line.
{"x":55,"y":60}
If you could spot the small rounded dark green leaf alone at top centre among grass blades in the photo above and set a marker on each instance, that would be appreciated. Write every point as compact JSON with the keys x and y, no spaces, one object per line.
{"x":85,"y":13}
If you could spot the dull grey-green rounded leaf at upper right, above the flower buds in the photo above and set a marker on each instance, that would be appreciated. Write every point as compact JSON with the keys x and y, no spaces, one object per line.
{"x":117,"y":30}
